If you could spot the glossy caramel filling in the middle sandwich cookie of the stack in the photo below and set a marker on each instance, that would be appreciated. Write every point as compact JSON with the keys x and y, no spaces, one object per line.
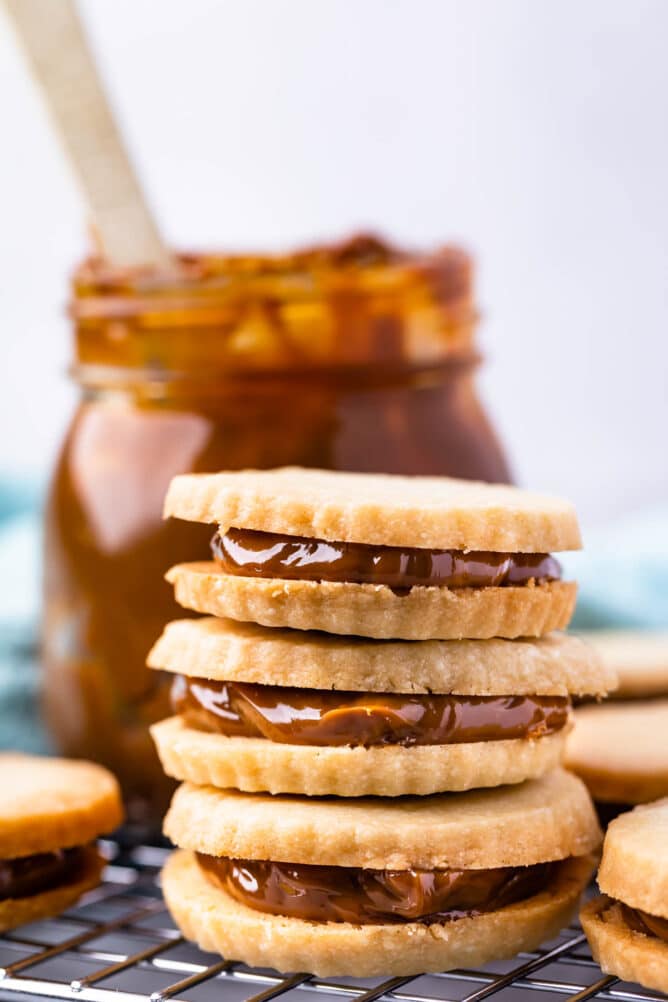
{"x":317,"y":717}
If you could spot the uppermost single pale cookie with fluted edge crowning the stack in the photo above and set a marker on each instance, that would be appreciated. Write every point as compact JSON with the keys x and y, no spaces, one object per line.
{"x":421,"y":513}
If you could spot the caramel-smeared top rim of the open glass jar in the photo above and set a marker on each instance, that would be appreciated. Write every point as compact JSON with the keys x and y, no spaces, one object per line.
{"x":364,"y":266}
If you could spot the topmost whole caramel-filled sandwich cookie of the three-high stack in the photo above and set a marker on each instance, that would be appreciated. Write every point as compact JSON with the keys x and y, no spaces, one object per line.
{"x":376,"y":556}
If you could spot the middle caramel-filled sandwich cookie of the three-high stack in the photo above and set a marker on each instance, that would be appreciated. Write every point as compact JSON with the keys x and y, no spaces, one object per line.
{"x":290,"y":712}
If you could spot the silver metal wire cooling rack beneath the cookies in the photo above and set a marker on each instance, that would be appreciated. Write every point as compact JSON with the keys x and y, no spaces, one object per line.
{"x":120,"y":945}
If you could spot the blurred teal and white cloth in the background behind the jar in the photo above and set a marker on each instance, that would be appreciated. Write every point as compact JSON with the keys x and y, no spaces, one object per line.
{"x":623,"y":578}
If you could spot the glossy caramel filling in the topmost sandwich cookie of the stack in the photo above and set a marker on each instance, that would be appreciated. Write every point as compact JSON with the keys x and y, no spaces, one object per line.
{"x":269,"y":555}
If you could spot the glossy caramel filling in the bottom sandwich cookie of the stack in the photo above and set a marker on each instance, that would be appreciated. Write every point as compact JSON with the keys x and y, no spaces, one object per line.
{"x":343,"y":894}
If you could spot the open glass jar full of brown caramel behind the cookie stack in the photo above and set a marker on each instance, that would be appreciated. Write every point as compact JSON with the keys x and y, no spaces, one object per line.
{"x":352,"y":357}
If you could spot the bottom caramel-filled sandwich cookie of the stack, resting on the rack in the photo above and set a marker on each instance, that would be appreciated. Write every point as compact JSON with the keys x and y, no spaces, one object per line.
{"x":374,"y":887}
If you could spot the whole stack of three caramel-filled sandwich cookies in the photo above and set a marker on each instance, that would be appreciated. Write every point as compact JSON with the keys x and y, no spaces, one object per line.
{"x":377,"y":651}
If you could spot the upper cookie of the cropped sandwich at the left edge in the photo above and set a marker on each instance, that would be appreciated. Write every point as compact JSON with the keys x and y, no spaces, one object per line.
{"x":51,"y":804}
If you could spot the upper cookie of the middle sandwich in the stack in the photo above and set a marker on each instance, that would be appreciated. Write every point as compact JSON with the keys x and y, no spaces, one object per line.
{"x":232,"y":652}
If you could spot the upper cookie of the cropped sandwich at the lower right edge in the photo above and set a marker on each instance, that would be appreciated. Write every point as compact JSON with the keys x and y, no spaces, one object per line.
{"x":634,"y":868}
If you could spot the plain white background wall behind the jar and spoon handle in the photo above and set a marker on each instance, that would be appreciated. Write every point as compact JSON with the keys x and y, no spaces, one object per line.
{"x":536,"y":132}
